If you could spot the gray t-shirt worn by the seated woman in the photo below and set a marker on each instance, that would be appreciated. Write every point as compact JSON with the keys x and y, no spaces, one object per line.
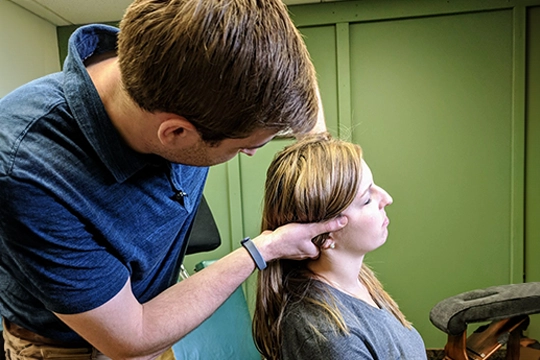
{"x":375,"y":334}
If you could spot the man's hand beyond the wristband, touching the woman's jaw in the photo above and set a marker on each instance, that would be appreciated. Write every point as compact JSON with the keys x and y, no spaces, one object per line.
{"x":293,"y":241}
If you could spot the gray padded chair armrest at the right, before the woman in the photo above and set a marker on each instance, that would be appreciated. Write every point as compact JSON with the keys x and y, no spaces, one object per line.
{"x":494,"y":303}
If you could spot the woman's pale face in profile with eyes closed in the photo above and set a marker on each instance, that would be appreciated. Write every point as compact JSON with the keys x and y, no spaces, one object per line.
{"x":367,"y":228}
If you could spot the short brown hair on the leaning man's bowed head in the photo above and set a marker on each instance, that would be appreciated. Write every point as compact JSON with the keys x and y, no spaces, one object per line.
{"x":228,"y":66}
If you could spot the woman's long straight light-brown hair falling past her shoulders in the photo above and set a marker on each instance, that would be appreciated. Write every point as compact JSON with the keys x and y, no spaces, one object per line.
{"x":312,"y":180}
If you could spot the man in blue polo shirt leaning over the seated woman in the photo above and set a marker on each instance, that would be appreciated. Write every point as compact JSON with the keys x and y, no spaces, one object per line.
{"x":102,"y":167}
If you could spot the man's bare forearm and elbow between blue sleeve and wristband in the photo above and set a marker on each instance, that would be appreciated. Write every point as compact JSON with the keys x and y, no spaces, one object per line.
{"x":122,"y":328}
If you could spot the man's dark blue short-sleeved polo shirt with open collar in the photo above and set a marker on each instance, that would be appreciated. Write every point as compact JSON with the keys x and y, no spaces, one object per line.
{"x":80,"y":211}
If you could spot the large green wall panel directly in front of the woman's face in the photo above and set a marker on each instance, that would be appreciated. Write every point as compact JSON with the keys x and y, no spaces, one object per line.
{"x":432,"y":108}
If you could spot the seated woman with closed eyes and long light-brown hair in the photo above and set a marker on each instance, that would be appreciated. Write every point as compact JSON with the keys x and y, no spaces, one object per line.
{"x":332,"y":307}
